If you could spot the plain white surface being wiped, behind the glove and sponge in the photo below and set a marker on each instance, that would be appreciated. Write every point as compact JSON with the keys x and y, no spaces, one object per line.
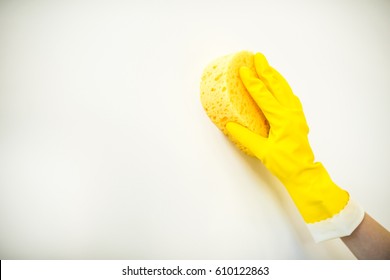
{"x":106,"y":152}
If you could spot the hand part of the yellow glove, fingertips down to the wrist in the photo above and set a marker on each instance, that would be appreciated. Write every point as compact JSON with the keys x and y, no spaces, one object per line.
{"x":286,"y":152}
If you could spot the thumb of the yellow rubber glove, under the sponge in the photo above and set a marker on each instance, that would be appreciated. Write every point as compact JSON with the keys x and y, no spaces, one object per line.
{"x":252,"y":141}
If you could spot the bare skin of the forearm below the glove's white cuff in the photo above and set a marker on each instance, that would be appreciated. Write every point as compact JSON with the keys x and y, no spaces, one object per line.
{"x":370,"y":240}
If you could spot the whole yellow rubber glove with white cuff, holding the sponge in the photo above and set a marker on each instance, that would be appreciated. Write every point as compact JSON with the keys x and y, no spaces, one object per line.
{"x":286,"y":152}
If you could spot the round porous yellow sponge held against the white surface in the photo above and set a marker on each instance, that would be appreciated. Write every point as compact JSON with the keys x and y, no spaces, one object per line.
{"x":225,"y":98}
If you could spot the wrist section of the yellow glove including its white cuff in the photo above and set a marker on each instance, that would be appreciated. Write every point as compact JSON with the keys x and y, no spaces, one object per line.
{"x":326,"y":209}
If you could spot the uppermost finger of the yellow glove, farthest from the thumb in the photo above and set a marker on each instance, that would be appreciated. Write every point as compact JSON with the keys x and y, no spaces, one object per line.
{"x":274,"y":81}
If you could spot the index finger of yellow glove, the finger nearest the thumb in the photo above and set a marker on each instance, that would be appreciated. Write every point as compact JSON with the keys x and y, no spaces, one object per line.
{"x":261,"y":95}
